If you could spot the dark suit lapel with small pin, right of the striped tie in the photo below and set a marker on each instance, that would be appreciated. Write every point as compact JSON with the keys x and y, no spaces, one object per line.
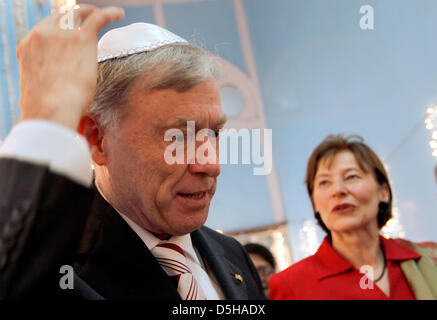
{"x":227,"y":274}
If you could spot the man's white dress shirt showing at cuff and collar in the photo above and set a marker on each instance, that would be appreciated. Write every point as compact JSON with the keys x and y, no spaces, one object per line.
{"x":67,"y":153}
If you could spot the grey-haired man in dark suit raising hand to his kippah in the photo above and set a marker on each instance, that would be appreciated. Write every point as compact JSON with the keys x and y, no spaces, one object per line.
{"x":136,"y":230}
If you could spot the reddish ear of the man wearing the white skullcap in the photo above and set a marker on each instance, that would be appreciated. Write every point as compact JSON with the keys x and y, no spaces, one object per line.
{"x":90,"y":128}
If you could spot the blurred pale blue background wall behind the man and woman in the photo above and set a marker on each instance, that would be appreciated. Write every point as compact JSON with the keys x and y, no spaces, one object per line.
{"x":305,"y":69}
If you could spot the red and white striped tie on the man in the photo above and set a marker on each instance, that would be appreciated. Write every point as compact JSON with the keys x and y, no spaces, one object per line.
{"x":172,"y":259}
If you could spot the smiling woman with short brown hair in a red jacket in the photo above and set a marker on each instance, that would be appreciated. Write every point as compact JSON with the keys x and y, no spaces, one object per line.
{"x":352,"y":200}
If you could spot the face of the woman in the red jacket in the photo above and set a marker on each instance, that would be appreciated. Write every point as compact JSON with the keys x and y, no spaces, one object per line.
{"x":346,"y":197}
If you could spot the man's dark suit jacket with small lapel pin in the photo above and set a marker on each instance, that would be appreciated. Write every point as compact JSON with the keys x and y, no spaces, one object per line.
{"x":47,"y":221}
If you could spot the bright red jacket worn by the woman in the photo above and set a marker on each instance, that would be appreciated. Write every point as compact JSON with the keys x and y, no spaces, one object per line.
{"x":327,"y":275}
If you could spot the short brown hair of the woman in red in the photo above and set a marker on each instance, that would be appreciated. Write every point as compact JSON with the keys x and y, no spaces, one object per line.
{"x":367,"y":160}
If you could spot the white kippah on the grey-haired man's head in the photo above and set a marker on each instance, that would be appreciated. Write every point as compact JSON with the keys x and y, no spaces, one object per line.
{"x":134,"y":38}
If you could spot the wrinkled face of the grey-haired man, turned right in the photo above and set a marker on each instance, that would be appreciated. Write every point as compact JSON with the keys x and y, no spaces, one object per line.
{"x":162,"y":198}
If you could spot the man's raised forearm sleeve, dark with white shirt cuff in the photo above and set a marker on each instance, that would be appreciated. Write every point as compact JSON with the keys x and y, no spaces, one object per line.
{"x":44,"y":202}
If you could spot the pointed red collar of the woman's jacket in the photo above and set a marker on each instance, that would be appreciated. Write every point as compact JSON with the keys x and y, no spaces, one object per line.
{"x":332,"y":263}
